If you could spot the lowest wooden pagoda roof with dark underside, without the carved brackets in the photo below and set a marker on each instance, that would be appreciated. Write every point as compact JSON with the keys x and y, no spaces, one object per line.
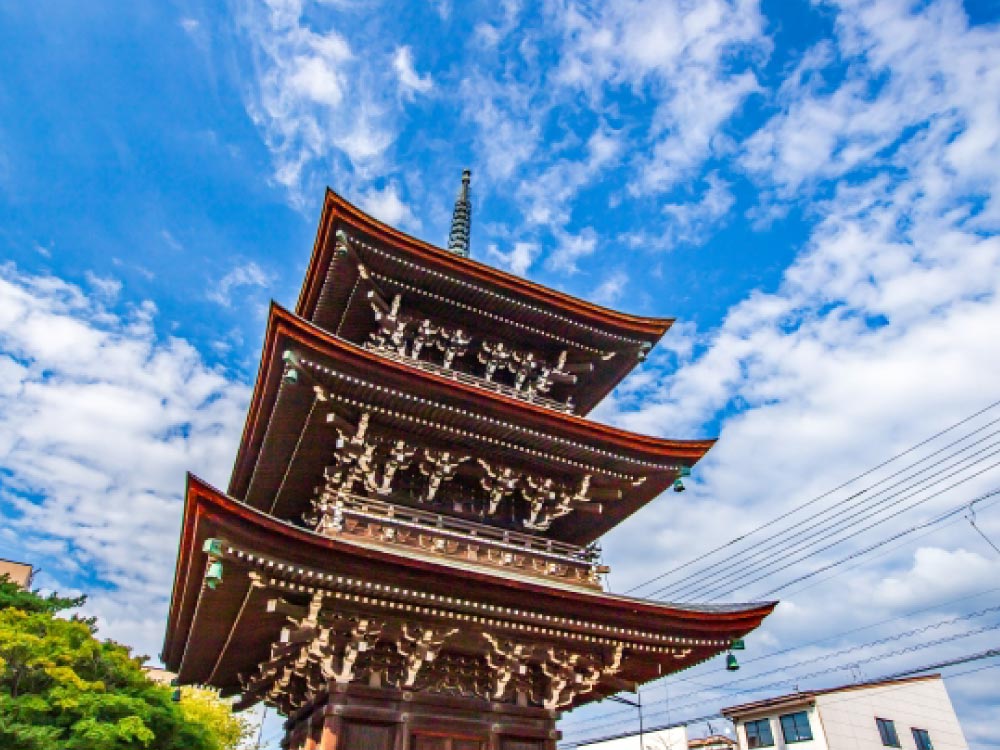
{"x":216,"y":635}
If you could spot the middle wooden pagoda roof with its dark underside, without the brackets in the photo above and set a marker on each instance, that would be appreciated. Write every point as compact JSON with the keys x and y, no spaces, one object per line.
{"x":288,"y":440}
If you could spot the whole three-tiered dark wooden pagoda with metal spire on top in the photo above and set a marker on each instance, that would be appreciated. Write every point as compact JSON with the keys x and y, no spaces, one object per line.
{"x":406,"y":555}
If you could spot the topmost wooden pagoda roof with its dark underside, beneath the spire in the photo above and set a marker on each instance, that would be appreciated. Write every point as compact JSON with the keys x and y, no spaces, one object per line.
{"x":471,"y":293}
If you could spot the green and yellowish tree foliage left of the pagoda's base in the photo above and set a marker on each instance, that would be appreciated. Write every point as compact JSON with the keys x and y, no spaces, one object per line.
{"x":61,"y":687}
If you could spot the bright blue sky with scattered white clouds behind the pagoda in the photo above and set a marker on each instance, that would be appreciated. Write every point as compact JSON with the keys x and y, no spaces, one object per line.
{"x":810,"y":188}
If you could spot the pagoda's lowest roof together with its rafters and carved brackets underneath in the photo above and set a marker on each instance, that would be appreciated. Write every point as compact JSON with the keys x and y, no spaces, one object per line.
{"x":561,"y":628}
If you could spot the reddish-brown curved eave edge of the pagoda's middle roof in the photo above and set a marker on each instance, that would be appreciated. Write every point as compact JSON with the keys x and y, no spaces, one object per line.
{"x":286,"y":328}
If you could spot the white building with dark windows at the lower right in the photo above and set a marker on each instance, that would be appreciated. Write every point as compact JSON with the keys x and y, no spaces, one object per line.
{"x":912,"y":714}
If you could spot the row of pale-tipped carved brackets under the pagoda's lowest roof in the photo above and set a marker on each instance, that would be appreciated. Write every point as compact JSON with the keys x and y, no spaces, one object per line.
{"x":321,"y":646}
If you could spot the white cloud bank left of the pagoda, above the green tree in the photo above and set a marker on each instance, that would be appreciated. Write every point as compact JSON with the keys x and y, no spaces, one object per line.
{"x":99,"y":421}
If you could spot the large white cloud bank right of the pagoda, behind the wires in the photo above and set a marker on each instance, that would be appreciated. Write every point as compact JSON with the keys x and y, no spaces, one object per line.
{"x":879,"y":334}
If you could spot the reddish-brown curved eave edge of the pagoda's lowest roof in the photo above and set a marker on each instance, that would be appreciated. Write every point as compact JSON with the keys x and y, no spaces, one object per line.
{"x":209,"y":512}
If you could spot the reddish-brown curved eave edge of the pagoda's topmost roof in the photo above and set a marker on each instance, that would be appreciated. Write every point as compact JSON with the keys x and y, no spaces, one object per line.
{"x":336,"y":208}
